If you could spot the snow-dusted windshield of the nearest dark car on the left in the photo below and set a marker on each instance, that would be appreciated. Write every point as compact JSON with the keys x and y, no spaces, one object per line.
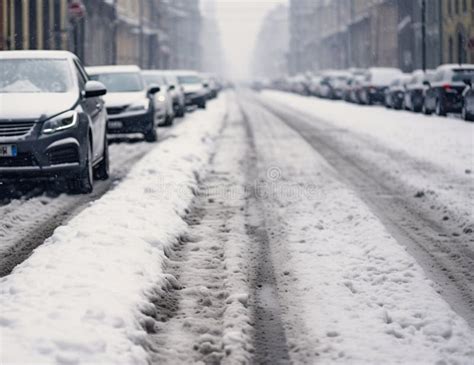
{"x":35,"y":76}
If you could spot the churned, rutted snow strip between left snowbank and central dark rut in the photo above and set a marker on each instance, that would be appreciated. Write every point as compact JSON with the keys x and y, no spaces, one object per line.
{"x":211,"y":322}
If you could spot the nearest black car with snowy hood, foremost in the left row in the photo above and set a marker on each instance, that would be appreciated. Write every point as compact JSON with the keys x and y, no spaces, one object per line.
{"x":52,"y":120}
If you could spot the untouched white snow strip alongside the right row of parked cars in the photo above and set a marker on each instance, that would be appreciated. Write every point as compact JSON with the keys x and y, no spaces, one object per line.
{"x":445,"y":142}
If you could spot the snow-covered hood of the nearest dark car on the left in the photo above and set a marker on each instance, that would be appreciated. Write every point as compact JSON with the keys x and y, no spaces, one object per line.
{"x":35,"y":106}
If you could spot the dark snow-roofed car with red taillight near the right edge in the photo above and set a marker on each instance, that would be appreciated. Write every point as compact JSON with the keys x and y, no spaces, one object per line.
{"x":445,"y":93}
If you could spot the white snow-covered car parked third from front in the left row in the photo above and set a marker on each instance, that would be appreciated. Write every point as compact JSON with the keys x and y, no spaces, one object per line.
{"x":164,"y":111}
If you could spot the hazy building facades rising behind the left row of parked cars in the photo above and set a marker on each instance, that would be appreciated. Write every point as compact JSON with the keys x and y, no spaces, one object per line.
{"x":148,"y":33}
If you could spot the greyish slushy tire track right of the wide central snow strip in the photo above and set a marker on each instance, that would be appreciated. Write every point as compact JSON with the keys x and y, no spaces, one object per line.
{"x":443,"y":256}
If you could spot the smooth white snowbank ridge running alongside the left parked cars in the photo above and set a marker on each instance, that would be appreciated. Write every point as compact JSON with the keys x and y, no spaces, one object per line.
{"x":78,"y":298}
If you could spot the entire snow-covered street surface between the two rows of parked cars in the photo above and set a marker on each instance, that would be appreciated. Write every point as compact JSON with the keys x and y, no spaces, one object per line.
{"x":269,"y":228}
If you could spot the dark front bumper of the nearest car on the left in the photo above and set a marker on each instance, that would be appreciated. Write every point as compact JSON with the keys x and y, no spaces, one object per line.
{"x":48,"y":157}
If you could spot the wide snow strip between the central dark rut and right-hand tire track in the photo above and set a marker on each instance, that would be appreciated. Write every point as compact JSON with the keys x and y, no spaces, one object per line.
{"x":350,"y":292}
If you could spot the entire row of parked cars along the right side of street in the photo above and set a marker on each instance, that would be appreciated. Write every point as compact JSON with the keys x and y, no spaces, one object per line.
{"x":448,"y":89}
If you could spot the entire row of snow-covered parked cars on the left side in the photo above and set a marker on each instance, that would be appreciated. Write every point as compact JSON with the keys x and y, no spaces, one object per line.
{"x":56,"y":115}
